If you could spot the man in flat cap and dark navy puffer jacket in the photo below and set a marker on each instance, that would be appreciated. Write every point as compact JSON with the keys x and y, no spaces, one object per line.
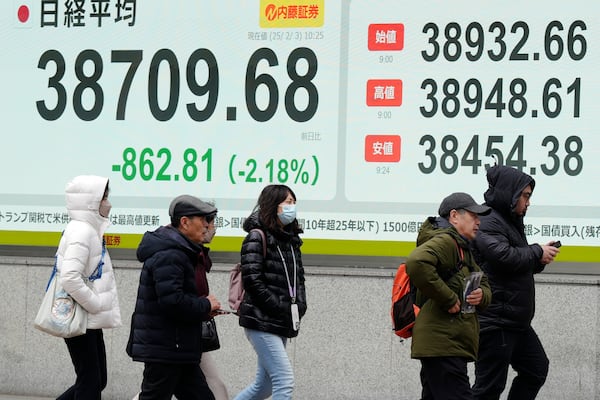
{"x":166,"y":324}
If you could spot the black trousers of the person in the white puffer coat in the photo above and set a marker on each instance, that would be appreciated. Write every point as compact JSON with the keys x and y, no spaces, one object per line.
{"x":88,"y":355}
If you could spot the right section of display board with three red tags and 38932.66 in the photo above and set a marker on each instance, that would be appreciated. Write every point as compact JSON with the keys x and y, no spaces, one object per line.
{"x":514,"y":83}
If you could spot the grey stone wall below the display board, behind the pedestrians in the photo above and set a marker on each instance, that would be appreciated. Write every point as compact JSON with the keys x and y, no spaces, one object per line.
{"x":345,"y":349}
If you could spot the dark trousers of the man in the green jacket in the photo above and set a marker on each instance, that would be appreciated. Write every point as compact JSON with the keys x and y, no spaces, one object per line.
{"x":445,"y":378}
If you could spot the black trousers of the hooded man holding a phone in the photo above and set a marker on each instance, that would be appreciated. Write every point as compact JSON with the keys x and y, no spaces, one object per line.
{"x":523,"y":351}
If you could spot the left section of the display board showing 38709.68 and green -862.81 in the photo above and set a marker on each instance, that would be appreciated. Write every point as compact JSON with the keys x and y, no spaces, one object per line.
{"x":194,"y":97}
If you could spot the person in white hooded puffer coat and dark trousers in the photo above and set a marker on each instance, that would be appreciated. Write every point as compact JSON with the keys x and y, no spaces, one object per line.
{"x":81,"y":254}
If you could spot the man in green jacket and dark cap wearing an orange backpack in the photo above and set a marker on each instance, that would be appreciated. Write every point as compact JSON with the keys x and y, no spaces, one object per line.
{"x":445,"y":337}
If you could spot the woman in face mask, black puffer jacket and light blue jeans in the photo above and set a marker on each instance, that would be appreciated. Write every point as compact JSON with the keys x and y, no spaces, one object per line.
{"x":275,"y":297}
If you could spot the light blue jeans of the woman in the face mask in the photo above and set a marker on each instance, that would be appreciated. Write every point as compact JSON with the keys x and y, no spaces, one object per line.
{"x":274,"y":374}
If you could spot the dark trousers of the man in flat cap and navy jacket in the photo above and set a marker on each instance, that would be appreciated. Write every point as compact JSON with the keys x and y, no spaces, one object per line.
{"x":185,"y":381}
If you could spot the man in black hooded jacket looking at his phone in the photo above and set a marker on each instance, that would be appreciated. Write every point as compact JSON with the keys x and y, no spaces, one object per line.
{"x":501,"y":249}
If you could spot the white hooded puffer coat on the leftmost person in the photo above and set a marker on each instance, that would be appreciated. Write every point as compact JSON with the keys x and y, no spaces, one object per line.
{"x":80,"y":251}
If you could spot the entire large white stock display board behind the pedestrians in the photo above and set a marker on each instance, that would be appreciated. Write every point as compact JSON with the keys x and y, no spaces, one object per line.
{"x":371,"y":111}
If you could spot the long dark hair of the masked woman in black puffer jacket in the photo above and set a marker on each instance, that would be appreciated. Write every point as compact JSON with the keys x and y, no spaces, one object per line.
{"x":268,"y":201}
